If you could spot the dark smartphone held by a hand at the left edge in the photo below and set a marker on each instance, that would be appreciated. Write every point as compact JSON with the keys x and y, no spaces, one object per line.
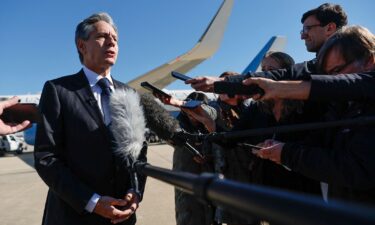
{"x":21,"y":112}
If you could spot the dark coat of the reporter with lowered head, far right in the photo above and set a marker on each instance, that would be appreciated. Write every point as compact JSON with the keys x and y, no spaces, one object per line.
{"x":346,"y":158}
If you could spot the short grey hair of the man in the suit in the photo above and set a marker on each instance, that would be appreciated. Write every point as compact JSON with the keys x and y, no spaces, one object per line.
{"x":85,"y":27}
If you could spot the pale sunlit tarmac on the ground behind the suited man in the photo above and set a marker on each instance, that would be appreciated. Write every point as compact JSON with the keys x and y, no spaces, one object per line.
{"x":23,"y":193}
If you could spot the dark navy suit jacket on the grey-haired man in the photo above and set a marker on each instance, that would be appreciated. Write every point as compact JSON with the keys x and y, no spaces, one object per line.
{"x":73,"y":152}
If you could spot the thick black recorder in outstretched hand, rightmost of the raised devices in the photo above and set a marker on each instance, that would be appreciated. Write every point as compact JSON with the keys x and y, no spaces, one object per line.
{"x":236,"y":88}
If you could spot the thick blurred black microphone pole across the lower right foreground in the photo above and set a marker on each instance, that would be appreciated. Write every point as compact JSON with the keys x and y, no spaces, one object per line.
{"x":277,"y":206}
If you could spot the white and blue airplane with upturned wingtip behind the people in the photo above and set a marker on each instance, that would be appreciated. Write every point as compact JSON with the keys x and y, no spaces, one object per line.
{"x":160,"y":77}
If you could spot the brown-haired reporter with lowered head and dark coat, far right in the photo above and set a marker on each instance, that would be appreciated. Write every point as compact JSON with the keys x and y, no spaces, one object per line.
{"x":345,"y":160}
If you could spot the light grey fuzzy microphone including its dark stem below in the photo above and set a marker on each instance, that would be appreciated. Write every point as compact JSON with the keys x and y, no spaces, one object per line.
{"x":127,"y":132}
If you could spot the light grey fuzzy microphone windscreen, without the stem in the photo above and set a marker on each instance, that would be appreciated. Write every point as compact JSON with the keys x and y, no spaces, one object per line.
{"x":128,"y":124}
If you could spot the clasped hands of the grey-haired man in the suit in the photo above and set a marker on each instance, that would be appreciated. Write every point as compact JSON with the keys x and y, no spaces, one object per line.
{"x":106,"y":207}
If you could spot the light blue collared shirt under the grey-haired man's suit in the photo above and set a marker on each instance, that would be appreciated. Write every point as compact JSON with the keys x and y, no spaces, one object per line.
{"x":93,"y":78}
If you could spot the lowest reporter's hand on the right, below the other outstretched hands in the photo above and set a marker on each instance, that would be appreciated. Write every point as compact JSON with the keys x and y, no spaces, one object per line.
{"x":271,"y":150}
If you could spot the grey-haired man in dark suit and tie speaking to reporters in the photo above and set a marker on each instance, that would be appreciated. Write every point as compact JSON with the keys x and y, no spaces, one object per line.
{"x":73,"y":155}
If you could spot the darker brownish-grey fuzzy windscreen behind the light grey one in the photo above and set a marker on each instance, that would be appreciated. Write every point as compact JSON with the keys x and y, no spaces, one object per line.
{"x":158,"y":119}
